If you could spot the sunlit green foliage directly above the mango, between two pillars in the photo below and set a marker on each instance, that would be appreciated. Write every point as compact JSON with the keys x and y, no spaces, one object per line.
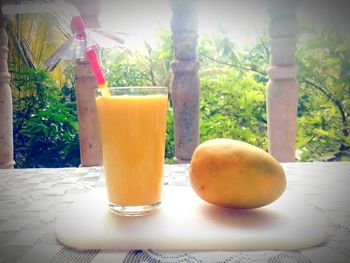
{"x":232,"y":91}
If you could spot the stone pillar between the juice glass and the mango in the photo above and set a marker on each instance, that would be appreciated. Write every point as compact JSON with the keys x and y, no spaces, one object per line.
{"x":185,"y":86}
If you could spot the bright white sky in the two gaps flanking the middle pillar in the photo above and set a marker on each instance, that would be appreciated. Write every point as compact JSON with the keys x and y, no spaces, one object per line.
{"x":144,"y":18}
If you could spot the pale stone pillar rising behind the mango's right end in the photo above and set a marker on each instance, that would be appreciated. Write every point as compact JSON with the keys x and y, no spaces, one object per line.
{"x":282,"y":89}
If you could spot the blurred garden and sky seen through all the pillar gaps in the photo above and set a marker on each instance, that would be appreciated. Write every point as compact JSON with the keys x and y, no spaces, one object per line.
{"x":233,"y":52}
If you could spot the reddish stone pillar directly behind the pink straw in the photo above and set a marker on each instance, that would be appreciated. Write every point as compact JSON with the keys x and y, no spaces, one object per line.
{"x":85,"y":85}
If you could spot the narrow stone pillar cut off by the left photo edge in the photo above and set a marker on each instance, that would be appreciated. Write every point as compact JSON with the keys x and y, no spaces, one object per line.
{"x":6,"y":111}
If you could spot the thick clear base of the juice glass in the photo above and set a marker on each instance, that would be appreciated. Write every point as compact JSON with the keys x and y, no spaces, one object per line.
{"x":134,"y":210}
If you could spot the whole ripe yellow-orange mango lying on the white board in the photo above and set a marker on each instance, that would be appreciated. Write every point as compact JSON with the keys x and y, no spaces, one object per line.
{"x":235,"y":174}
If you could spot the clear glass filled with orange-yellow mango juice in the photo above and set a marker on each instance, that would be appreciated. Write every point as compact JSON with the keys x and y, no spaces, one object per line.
{"x":132,"y":123}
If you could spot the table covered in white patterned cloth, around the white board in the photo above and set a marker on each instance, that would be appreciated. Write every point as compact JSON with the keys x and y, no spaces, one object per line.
{"x":31,"y":200}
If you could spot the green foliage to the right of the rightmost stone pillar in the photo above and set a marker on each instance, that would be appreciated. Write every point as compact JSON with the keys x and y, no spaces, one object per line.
{"x":324,"y":76}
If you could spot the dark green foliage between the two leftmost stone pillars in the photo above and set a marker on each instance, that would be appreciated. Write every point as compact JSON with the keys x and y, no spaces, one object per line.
{"x":45,"y":123}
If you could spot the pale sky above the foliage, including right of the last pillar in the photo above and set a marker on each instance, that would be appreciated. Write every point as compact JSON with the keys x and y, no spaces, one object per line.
{"x":244,"y":19}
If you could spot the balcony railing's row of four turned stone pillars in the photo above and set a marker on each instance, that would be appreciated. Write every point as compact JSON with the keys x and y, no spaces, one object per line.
{"x":281,"y":89}
